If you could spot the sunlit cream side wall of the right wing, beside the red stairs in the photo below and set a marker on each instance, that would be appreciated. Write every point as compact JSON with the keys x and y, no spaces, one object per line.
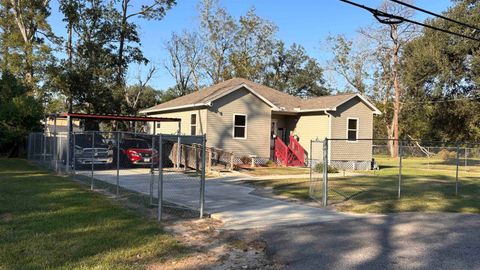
{"x":310,"y":127}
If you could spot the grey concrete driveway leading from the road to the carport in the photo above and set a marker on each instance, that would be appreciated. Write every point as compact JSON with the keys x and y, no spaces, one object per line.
{"x":234,"y":204}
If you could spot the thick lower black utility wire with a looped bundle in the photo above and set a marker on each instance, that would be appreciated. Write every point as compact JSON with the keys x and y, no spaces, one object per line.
{"x":394,"y":19}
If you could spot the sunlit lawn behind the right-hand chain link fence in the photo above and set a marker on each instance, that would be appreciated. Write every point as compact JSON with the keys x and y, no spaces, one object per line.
{"x":427,"y":186}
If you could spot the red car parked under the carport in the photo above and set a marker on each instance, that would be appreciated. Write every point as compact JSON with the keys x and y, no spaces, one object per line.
{"x":135,"y":151}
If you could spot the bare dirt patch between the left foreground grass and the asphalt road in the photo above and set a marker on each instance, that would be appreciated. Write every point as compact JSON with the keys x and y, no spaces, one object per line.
{"x":213,"y":248}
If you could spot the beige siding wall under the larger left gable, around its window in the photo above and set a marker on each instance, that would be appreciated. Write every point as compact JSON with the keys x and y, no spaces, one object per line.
{"x":220,"y":124}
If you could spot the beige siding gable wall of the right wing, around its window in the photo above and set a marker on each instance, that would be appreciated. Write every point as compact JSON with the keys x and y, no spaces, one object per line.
{"x":357,"y":150}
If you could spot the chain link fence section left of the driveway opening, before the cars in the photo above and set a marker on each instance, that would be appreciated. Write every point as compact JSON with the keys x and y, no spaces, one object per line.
{"x":166,"y":172}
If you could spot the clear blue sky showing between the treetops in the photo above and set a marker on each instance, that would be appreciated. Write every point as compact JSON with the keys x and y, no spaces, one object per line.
{"x":305,"y":22}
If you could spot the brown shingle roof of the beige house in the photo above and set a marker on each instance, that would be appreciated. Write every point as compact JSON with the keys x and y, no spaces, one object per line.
{"x":283,"y":101}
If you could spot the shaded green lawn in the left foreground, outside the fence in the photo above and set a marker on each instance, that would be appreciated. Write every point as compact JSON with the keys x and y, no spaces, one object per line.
{"x":51,"y":222}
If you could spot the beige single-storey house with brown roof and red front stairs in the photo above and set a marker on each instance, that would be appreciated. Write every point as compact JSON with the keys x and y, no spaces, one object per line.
{"x":250,"y":119}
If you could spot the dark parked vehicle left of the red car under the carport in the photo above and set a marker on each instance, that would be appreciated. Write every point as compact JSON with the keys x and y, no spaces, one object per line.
{"x":85,"y":154}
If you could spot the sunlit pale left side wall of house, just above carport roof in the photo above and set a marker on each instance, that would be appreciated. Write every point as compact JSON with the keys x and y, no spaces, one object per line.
{"x":185,"y":116}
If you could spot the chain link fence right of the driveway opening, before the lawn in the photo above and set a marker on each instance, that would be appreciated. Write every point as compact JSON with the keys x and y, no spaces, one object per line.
{"x":369,"y":171}
